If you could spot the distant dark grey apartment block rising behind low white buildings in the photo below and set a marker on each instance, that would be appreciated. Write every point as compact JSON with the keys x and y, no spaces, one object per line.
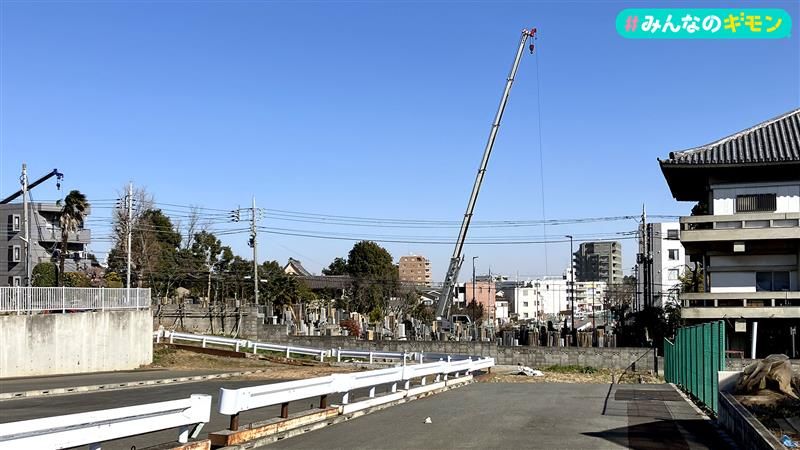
{"x":599,"y":261}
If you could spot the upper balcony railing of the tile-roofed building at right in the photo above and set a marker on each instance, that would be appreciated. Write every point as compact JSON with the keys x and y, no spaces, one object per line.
{"x":742,"y":226}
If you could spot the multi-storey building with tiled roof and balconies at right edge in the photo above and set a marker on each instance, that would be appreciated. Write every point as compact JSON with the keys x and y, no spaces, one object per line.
{"x":744,"y":231}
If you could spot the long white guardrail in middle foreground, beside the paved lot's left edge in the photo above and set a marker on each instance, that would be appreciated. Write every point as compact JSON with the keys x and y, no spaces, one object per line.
{"x":234,"y":401}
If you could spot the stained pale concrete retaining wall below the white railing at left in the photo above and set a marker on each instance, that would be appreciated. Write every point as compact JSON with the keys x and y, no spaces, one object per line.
{"x":50,"y":344}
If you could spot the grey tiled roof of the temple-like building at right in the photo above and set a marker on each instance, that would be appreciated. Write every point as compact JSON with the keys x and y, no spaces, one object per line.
{"x":775,"y":141}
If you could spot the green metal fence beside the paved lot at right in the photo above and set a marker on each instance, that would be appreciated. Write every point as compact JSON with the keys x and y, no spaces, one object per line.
{"x":693,"y":360}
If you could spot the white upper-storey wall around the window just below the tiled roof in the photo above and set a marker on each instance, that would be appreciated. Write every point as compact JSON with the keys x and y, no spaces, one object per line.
{"x":724,"y":195}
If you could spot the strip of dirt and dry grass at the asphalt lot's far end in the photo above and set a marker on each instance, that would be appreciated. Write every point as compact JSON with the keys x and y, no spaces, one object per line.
{"x":508,"y":374}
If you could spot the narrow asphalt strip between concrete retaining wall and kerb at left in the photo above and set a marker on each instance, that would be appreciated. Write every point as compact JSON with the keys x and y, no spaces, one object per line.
{"x":89,"y":379}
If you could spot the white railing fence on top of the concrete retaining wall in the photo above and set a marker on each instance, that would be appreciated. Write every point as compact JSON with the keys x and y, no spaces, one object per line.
{"x":63,"y":299}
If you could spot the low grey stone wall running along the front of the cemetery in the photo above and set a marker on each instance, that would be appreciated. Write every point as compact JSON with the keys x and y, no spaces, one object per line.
{"x":603,"y":357}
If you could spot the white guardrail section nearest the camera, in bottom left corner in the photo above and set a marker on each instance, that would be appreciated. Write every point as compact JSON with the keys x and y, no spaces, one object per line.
{"x":93,"y":428}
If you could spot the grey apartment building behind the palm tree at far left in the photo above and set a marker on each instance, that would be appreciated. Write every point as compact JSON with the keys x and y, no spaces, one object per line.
{"x":45,"y":234}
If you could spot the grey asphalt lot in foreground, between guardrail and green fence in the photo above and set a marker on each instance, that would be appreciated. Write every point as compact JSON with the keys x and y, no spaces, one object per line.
{"x":520,"y":415}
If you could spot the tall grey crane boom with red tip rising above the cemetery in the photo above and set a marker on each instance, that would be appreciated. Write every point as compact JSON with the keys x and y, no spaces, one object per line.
{"x":457,"y":259}
